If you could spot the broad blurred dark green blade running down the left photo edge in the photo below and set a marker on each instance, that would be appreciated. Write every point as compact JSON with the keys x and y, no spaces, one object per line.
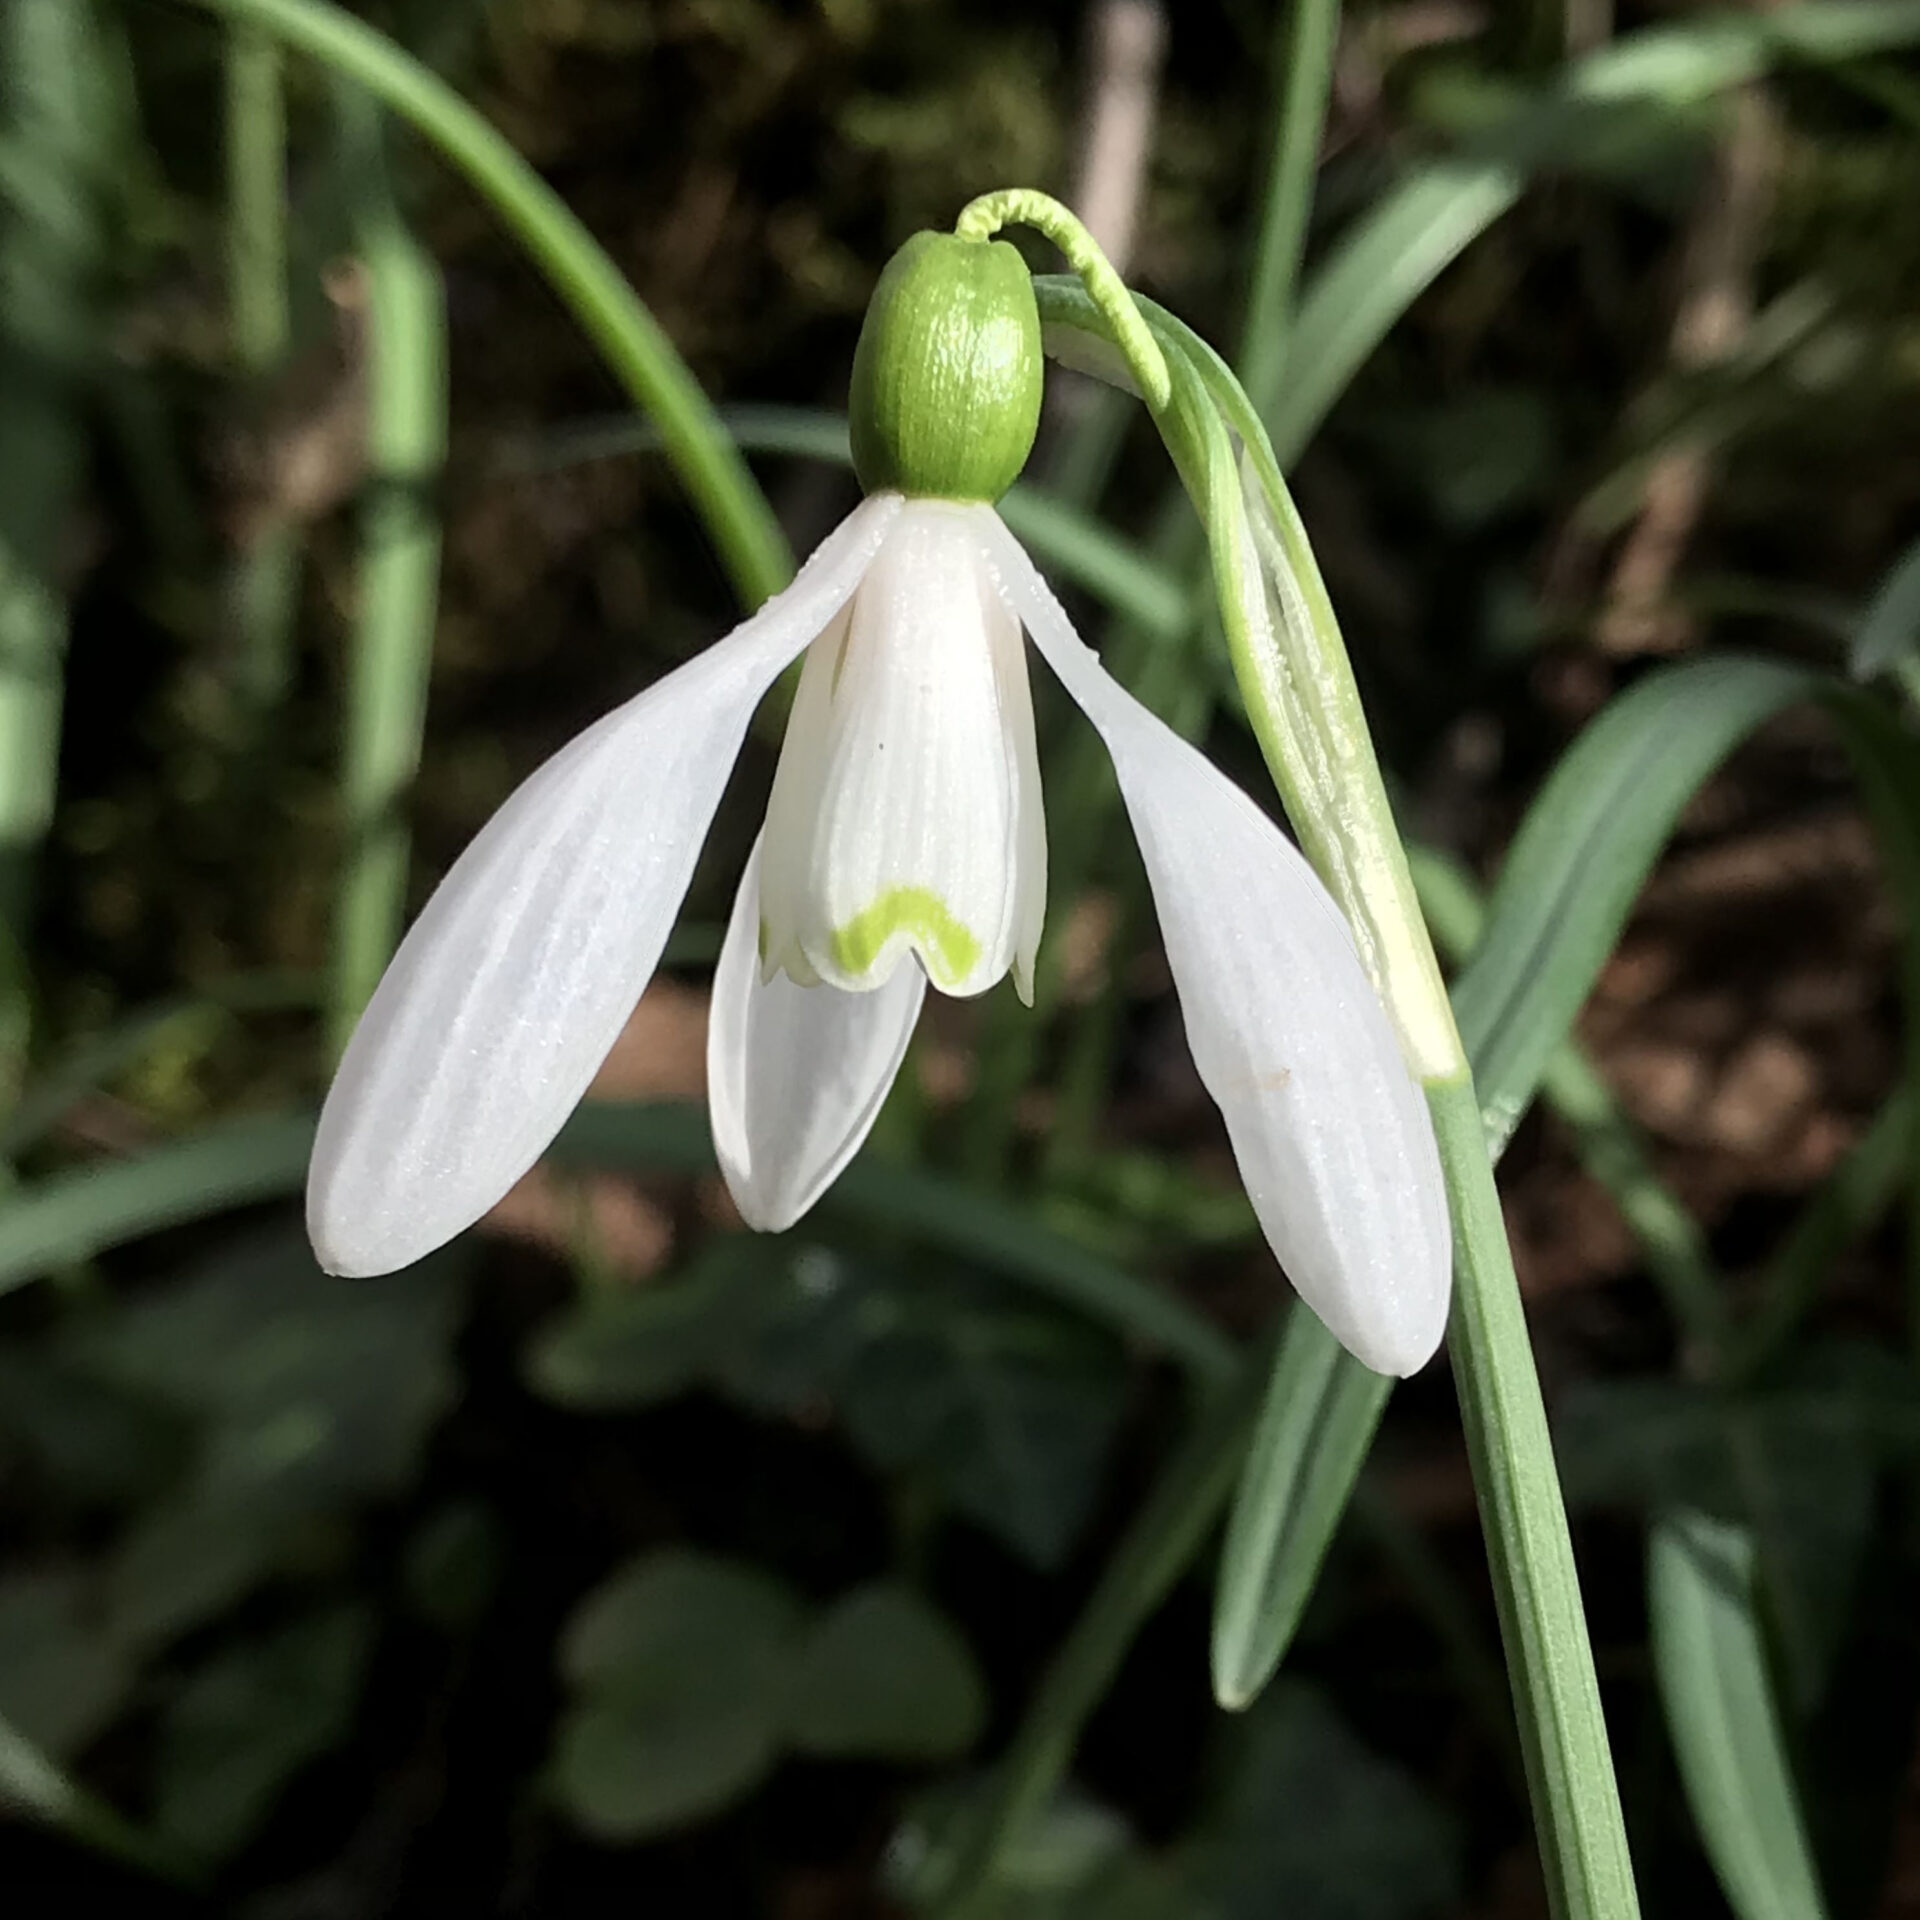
{"x":55,"y":124}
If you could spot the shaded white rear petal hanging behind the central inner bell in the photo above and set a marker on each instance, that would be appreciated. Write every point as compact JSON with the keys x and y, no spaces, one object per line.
{"x":796,"y":1076}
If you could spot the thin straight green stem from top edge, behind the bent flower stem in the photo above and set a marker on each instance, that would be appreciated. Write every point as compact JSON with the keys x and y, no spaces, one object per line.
{"x":1303,"y":64}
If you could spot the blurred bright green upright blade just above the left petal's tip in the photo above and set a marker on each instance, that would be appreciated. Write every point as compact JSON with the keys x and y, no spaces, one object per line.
{"x":393,"y":644}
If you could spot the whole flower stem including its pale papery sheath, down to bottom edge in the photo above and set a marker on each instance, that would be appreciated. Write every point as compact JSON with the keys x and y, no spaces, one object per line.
{"x":1301,"y":698}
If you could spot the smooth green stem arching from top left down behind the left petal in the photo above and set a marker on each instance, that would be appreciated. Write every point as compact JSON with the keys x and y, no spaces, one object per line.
{"x":723,"y":491}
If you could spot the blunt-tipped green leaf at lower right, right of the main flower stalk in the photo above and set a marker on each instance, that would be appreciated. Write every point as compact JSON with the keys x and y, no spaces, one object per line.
{"x":1712,"y":1664}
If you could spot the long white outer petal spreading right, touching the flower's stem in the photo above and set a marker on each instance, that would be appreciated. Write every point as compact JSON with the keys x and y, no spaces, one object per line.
{"x":1328,"y":1124}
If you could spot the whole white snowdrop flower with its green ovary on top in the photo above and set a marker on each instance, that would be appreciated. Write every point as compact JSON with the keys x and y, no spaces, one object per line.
{"x":903,"y":846}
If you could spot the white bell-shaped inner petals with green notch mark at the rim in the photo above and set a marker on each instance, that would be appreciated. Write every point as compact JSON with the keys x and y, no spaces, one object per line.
{"x":907,"y":807}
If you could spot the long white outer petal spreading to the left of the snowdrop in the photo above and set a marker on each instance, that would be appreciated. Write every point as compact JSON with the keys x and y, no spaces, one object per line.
{"x":517,"y":978}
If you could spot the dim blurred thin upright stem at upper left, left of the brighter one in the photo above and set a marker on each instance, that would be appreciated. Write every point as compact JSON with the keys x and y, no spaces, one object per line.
{"x":266,"y":573}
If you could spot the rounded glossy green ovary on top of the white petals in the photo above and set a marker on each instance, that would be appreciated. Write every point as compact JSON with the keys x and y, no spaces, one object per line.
{"x":948,"y":373}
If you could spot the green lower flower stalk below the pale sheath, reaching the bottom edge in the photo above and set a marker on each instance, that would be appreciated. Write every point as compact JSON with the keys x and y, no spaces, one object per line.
{"x":1564,"y":1735}
